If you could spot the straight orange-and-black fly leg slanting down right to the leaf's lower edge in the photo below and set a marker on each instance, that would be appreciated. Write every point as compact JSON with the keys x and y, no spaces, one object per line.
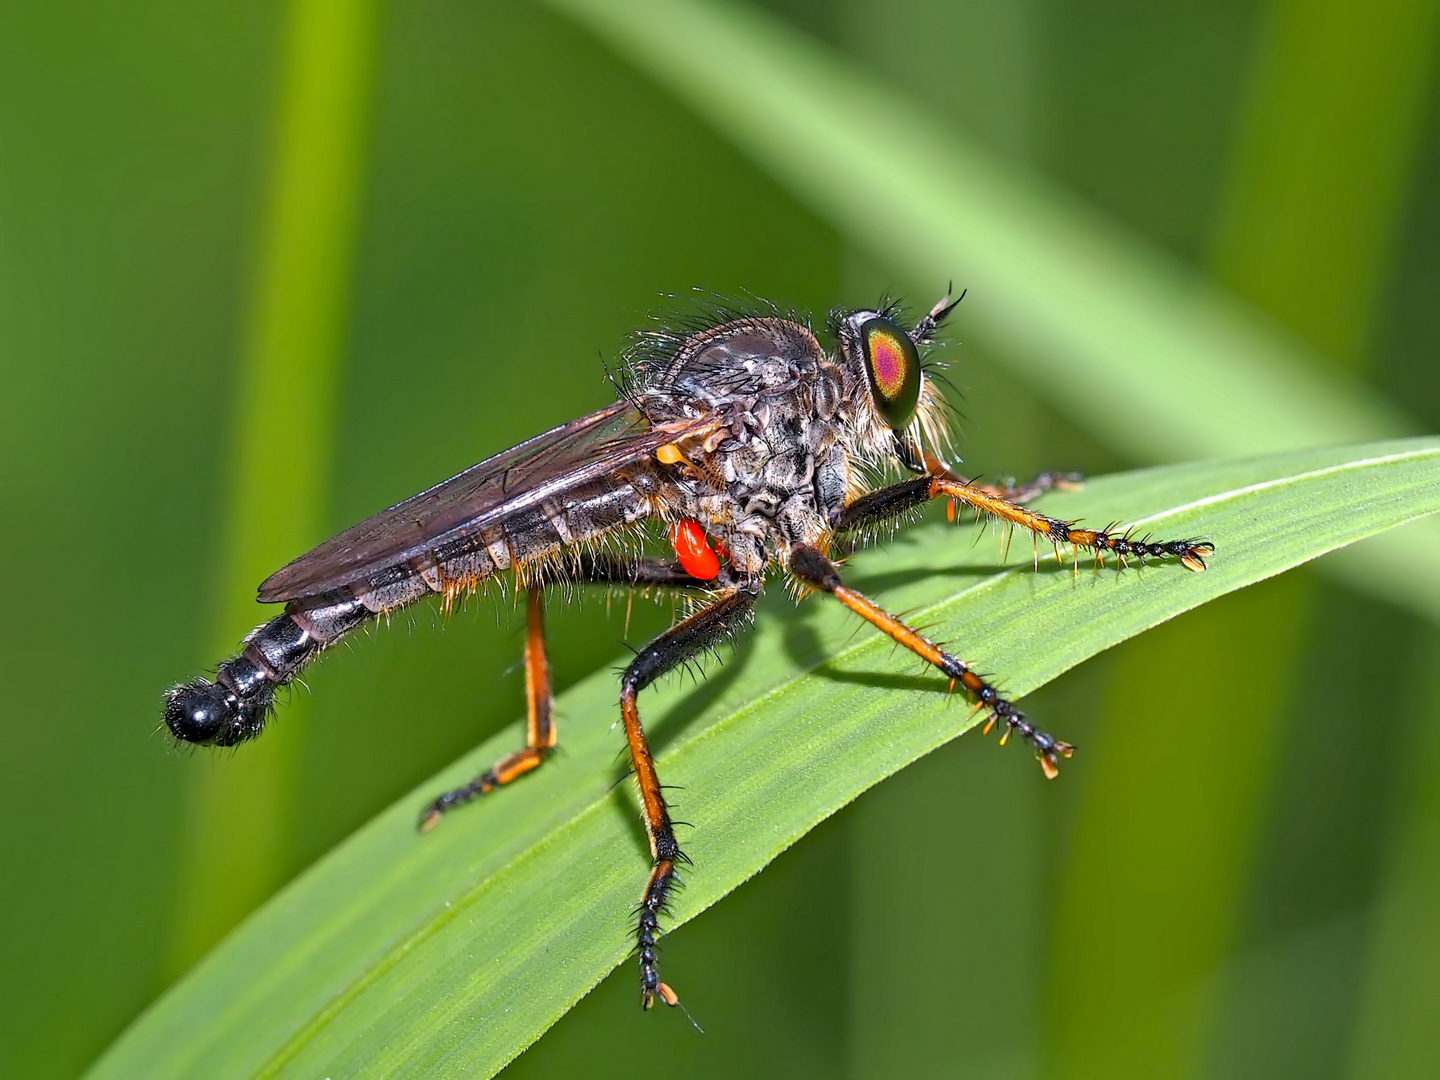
{"x":814,"y":570}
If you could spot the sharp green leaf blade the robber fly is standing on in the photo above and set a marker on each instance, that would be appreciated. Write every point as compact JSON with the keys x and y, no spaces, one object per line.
{"x":449,"y":954}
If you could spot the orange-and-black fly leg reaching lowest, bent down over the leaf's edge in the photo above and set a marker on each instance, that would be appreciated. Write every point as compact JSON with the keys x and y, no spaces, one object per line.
{"x":675,"y":647}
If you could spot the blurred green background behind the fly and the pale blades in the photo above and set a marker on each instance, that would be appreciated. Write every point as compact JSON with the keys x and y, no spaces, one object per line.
{"x":269,"y":267}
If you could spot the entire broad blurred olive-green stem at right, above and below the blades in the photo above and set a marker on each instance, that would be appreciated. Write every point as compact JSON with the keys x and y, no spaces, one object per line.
{"x":1302,"y":198}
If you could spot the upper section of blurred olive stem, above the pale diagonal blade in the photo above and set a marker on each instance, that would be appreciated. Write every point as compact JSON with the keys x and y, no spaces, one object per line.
{"x":1318,"y":175}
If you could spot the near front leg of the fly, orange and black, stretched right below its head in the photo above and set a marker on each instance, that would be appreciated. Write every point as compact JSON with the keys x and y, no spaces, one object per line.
{"x":909,"y":495}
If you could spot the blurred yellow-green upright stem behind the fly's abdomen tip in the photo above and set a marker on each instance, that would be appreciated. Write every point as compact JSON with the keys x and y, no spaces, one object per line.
{"x":282,"y":418}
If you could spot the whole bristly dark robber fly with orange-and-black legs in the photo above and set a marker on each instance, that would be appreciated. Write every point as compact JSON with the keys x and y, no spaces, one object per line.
{"x":752,"y":447}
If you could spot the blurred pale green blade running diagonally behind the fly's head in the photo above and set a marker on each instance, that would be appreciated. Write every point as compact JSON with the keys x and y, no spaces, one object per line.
{"x":1147,"y":355}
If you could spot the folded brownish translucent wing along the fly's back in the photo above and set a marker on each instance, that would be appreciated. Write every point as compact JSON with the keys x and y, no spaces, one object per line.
{"x":542,"y":469}
